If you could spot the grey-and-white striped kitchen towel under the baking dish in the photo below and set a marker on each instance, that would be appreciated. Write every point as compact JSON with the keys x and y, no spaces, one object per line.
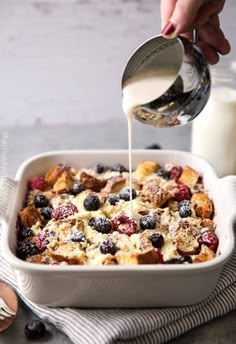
{"x":89,"y":326}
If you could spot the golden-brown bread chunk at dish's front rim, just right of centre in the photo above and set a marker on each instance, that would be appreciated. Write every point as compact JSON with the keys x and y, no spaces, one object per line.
{"x":138,"y":257}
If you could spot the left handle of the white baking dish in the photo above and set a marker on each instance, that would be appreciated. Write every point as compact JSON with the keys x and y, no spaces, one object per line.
{"x":7,"y":192}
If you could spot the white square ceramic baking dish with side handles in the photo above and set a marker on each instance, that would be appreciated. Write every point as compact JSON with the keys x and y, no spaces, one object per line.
{"x":117,"y":286}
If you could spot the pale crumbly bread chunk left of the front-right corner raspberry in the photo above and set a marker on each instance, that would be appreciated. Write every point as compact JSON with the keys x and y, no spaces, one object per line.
{"x":186,"y":240}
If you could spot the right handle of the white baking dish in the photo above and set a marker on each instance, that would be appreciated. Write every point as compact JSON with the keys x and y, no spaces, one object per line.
{"x":228,"y":193}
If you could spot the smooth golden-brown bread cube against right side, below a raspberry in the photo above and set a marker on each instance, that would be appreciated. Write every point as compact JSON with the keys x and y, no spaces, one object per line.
{"x":202,"y":204}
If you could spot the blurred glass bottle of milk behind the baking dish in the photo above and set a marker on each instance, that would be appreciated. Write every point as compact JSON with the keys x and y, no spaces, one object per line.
{"x":214,"y":130}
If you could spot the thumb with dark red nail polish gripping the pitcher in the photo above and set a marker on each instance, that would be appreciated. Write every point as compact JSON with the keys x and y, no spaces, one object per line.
{"x":183,"y":16}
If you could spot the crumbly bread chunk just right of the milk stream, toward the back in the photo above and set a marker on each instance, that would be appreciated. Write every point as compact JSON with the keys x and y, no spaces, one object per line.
{"x":153,"y":193}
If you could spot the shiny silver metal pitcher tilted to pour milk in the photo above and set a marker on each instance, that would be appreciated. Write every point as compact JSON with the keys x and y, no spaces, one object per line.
{"x":190,"y":90}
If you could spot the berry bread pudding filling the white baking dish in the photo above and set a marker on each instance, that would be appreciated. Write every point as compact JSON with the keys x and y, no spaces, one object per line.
{"x":83,"y":216}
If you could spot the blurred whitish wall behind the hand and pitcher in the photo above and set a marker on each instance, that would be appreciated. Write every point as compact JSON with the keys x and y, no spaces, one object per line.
{"x":61,"y":60}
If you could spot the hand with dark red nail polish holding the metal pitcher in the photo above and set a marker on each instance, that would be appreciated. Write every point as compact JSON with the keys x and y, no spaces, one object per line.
{"x":181,"y":16}
